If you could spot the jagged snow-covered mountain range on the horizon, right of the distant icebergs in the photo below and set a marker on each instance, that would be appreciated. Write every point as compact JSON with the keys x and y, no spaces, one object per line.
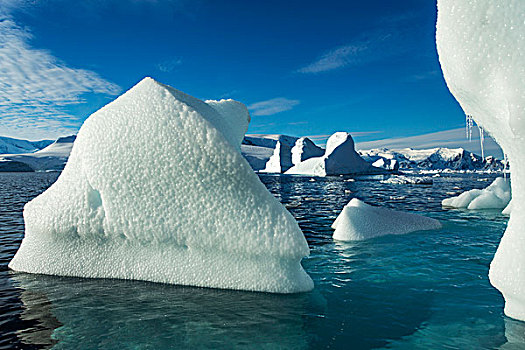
{"x":432,"y":159}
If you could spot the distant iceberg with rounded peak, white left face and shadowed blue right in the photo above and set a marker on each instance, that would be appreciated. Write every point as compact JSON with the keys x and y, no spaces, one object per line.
{"x":340,"y":158}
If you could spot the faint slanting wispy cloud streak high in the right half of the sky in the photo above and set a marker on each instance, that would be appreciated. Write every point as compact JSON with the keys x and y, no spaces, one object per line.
{"x":374,"y":45}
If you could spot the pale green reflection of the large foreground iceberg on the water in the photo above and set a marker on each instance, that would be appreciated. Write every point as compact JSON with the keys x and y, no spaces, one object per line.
{"x":111,"y":314}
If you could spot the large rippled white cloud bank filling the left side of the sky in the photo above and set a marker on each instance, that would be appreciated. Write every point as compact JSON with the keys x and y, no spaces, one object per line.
{"x":36,"y":86}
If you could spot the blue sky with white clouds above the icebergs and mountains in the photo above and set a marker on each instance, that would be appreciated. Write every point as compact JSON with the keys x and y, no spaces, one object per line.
{"x":303,"y":68}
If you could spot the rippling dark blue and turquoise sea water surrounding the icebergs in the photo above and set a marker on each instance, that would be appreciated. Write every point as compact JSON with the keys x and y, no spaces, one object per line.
{"x":424,"y":290}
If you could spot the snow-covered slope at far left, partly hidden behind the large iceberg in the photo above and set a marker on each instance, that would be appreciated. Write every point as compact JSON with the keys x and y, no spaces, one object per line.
{"x":53,"y":157}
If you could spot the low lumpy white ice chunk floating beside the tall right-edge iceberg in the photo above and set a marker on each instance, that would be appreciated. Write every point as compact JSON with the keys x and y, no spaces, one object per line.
{"x":495,"y":196}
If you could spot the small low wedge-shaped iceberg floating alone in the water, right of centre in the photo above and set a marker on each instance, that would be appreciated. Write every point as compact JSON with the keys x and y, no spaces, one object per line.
{"x":359,"y":221}
